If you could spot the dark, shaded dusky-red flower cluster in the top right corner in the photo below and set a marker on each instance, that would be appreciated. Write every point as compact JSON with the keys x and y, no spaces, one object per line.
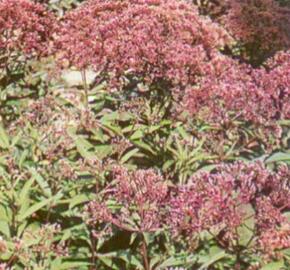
{"x":262,"y":26}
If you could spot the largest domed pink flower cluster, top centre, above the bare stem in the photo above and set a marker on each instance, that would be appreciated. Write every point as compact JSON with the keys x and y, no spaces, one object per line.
{"x":152,"y":40}
